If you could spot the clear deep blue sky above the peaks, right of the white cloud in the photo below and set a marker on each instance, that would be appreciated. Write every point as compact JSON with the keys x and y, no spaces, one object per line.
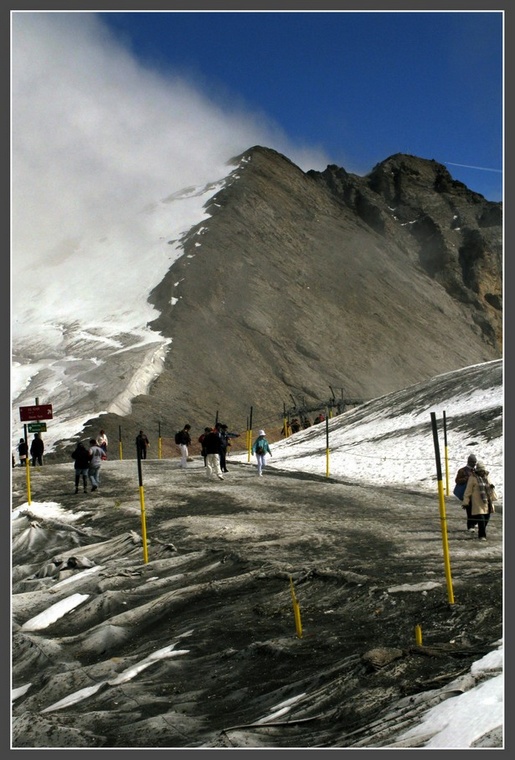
{"x":356,"y":86}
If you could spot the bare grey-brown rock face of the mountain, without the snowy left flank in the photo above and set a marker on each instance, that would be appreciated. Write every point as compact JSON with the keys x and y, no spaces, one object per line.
{"x":305,"y":284}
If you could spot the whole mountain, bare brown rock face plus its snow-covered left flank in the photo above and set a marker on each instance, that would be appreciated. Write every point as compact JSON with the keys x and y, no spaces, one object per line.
{"x":286,"y":291}
